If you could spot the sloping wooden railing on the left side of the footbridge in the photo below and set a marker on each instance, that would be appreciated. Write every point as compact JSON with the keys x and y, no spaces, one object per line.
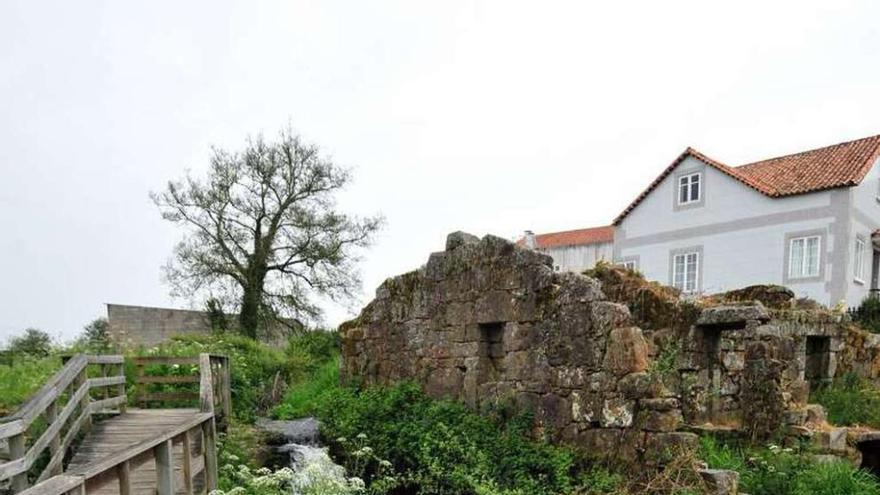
{"x":61,"y":409}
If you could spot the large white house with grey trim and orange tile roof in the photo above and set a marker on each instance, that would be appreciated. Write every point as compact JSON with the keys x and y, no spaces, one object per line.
{"x":807,"y":221}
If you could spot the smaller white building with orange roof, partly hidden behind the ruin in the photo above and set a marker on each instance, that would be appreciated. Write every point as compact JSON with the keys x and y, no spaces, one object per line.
{"x":574,"y":250}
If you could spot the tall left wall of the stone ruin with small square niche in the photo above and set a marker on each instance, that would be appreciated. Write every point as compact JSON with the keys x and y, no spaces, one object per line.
{"x":487,"y":321}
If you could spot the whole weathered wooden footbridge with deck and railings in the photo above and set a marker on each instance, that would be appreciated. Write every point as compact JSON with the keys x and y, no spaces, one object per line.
{"x":77,"y":435}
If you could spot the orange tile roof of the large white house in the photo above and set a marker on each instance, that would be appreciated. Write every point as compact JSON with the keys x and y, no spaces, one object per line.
{"x":839,"y":165}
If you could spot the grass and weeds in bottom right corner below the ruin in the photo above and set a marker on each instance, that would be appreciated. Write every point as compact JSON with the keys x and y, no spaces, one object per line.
{"x":774,"y":470}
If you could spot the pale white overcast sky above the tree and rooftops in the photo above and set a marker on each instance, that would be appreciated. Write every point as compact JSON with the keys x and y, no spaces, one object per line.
{"x":479,"y":116}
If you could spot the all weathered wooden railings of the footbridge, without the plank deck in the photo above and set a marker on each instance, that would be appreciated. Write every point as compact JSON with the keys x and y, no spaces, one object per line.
{"x":66,"y":405}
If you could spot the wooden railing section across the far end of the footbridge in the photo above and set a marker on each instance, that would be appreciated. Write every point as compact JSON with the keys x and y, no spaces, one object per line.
{"x":211,"y":367}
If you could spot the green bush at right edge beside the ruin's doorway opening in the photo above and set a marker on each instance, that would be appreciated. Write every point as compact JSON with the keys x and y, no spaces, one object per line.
{"x":850,"y":400}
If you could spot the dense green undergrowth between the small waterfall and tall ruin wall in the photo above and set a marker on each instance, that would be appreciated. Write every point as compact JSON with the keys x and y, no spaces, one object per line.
{"x":441,"y":446}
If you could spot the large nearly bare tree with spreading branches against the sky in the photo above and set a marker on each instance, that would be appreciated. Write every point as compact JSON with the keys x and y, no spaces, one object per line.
{"x":264,"y":233}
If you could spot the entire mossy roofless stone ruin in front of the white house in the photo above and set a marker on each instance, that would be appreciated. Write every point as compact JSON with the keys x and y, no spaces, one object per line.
{"x":634,"y":374}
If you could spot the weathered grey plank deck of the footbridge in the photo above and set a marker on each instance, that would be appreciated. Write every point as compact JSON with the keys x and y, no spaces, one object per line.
{"x":116,"y":434}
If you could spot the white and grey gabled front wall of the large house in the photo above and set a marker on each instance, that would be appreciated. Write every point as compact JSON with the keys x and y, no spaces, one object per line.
{"x":743,"y":235}
